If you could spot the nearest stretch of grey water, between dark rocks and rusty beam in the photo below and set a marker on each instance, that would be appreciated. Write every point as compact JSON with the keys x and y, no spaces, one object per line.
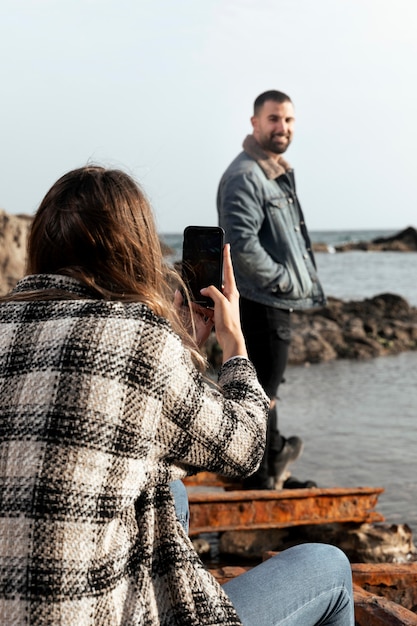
{"x":358,"y":422}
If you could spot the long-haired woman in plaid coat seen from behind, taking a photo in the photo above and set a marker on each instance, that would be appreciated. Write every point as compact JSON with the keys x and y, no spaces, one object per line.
{"x":104,"y":405}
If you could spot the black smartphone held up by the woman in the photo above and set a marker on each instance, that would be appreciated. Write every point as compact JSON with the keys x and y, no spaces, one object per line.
{"x":202,"y":260}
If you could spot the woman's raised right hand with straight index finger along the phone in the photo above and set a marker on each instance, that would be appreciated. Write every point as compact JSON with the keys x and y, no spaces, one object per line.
{"x":226,"y":312}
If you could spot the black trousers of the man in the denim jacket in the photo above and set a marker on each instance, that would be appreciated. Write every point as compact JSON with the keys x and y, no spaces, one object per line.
{"x":267,"y":332}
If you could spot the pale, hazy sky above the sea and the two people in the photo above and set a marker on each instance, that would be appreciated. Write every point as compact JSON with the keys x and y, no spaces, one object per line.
{"x":164,"y":90}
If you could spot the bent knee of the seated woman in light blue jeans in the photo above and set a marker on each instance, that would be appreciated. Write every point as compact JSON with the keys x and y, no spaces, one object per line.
{"x":306,"y":585}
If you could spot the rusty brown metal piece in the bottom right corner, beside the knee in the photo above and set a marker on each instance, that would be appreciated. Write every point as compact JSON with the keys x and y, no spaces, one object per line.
{"x":374,"y":610}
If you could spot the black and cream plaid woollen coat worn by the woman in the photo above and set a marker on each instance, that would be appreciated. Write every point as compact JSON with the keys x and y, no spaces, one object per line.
{"x":100,"y":408}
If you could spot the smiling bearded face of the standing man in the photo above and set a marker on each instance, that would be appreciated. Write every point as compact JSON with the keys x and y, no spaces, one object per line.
{"x":273,"y":126}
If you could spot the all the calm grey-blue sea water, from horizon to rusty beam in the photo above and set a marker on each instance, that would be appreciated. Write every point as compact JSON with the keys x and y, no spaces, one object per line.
{"x":358,"y":419}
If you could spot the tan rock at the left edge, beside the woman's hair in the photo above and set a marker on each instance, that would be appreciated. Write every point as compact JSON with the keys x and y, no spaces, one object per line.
{"x":14,"y":230}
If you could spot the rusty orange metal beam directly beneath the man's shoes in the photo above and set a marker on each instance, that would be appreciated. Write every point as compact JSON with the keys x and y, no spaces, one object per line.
{"x":214,"y":511}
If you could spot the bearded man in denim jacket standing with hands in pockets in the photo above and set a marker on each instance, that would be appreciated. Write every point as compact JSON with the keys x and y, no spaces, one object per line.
{"x":273,"y":261}
